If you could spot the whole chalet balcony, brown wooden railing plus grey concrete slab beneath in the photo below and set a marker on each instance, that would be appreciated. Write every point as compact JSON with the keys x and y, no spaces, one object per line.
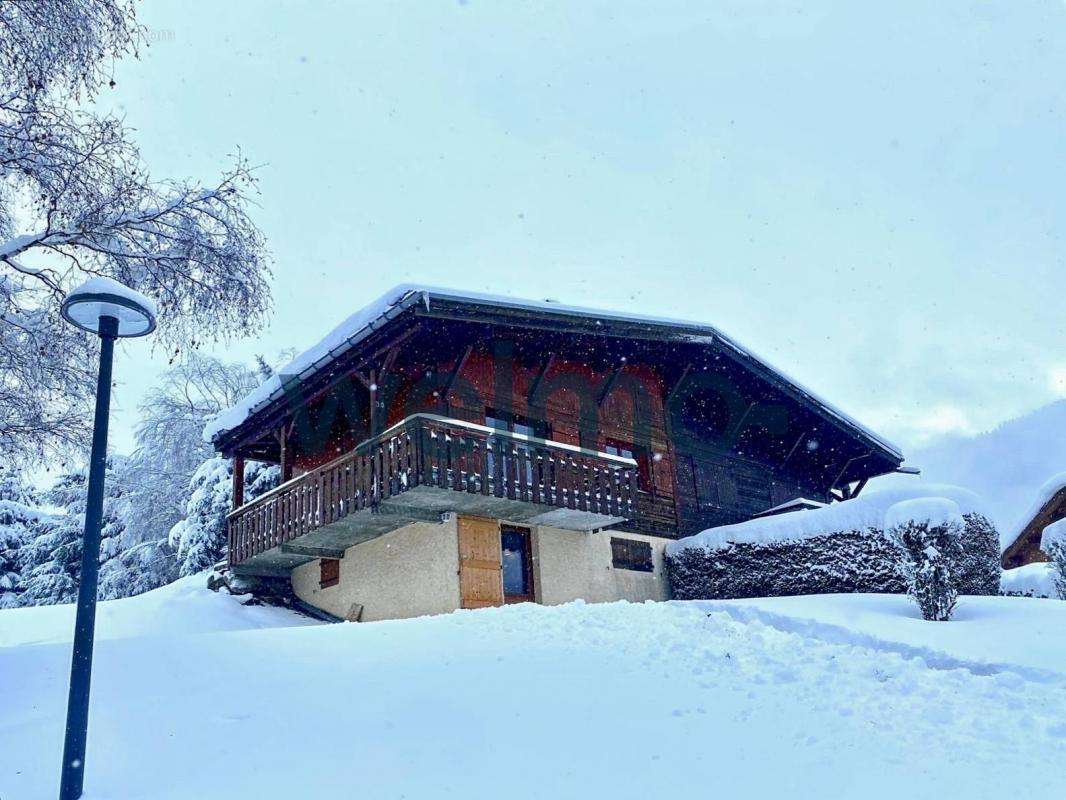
{"x":417,"y":471}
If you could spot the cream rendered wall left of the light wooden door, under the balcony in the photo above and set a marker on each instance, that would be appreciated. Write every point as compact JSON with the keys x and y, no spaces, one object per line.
{"x":411,"y":572}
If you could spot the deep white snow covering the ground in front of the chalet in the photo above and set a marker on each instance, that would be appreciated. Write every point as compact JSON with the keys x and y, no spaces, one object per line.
{"x":847,"y":697}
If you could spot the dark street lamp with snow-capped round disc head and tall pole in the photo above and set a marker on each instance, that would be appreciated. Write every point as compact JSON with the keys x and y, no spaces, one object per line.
{"x":109,"y":310}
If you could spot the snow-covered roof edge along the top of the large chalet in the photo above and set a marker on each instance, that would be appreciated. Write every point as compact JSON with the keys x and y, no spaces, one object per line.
{"x":353,"y":330}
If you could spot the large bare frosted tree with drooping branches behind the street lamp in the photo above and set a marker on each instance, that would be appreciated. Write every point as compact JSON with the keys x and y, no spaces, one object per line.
{"x":77,"y":201}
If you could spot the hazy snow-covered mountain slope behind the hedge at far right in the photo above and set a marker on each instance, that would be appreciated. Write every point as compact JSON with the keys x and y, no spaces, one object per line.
{"x":1007,"y":467}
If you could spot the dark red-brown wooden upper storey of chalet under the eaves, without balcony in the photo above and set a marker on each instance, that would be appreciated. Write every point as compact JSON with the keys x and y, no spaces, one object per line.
{"x":717,"y":436}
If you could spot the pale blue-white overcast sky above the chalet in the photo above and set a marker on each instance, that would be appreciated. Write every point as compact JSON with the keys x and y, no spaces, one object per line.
{"x":868,"y":196}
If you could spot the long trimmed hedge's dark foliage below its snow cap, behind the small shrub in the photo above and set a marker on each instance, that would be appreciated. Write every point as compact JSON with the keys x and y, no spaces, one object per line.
{"x":836,"y":563}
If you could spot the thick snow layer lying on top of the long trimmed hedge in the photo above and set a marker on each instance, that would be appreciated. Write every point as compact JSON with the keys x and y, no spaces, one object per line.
{"x":868,"y":511}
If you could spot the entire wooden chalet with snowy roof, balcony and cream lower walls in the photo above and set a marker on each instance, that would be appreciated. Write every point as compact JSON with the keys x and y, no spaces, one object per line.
{"x":444,"y":450}
